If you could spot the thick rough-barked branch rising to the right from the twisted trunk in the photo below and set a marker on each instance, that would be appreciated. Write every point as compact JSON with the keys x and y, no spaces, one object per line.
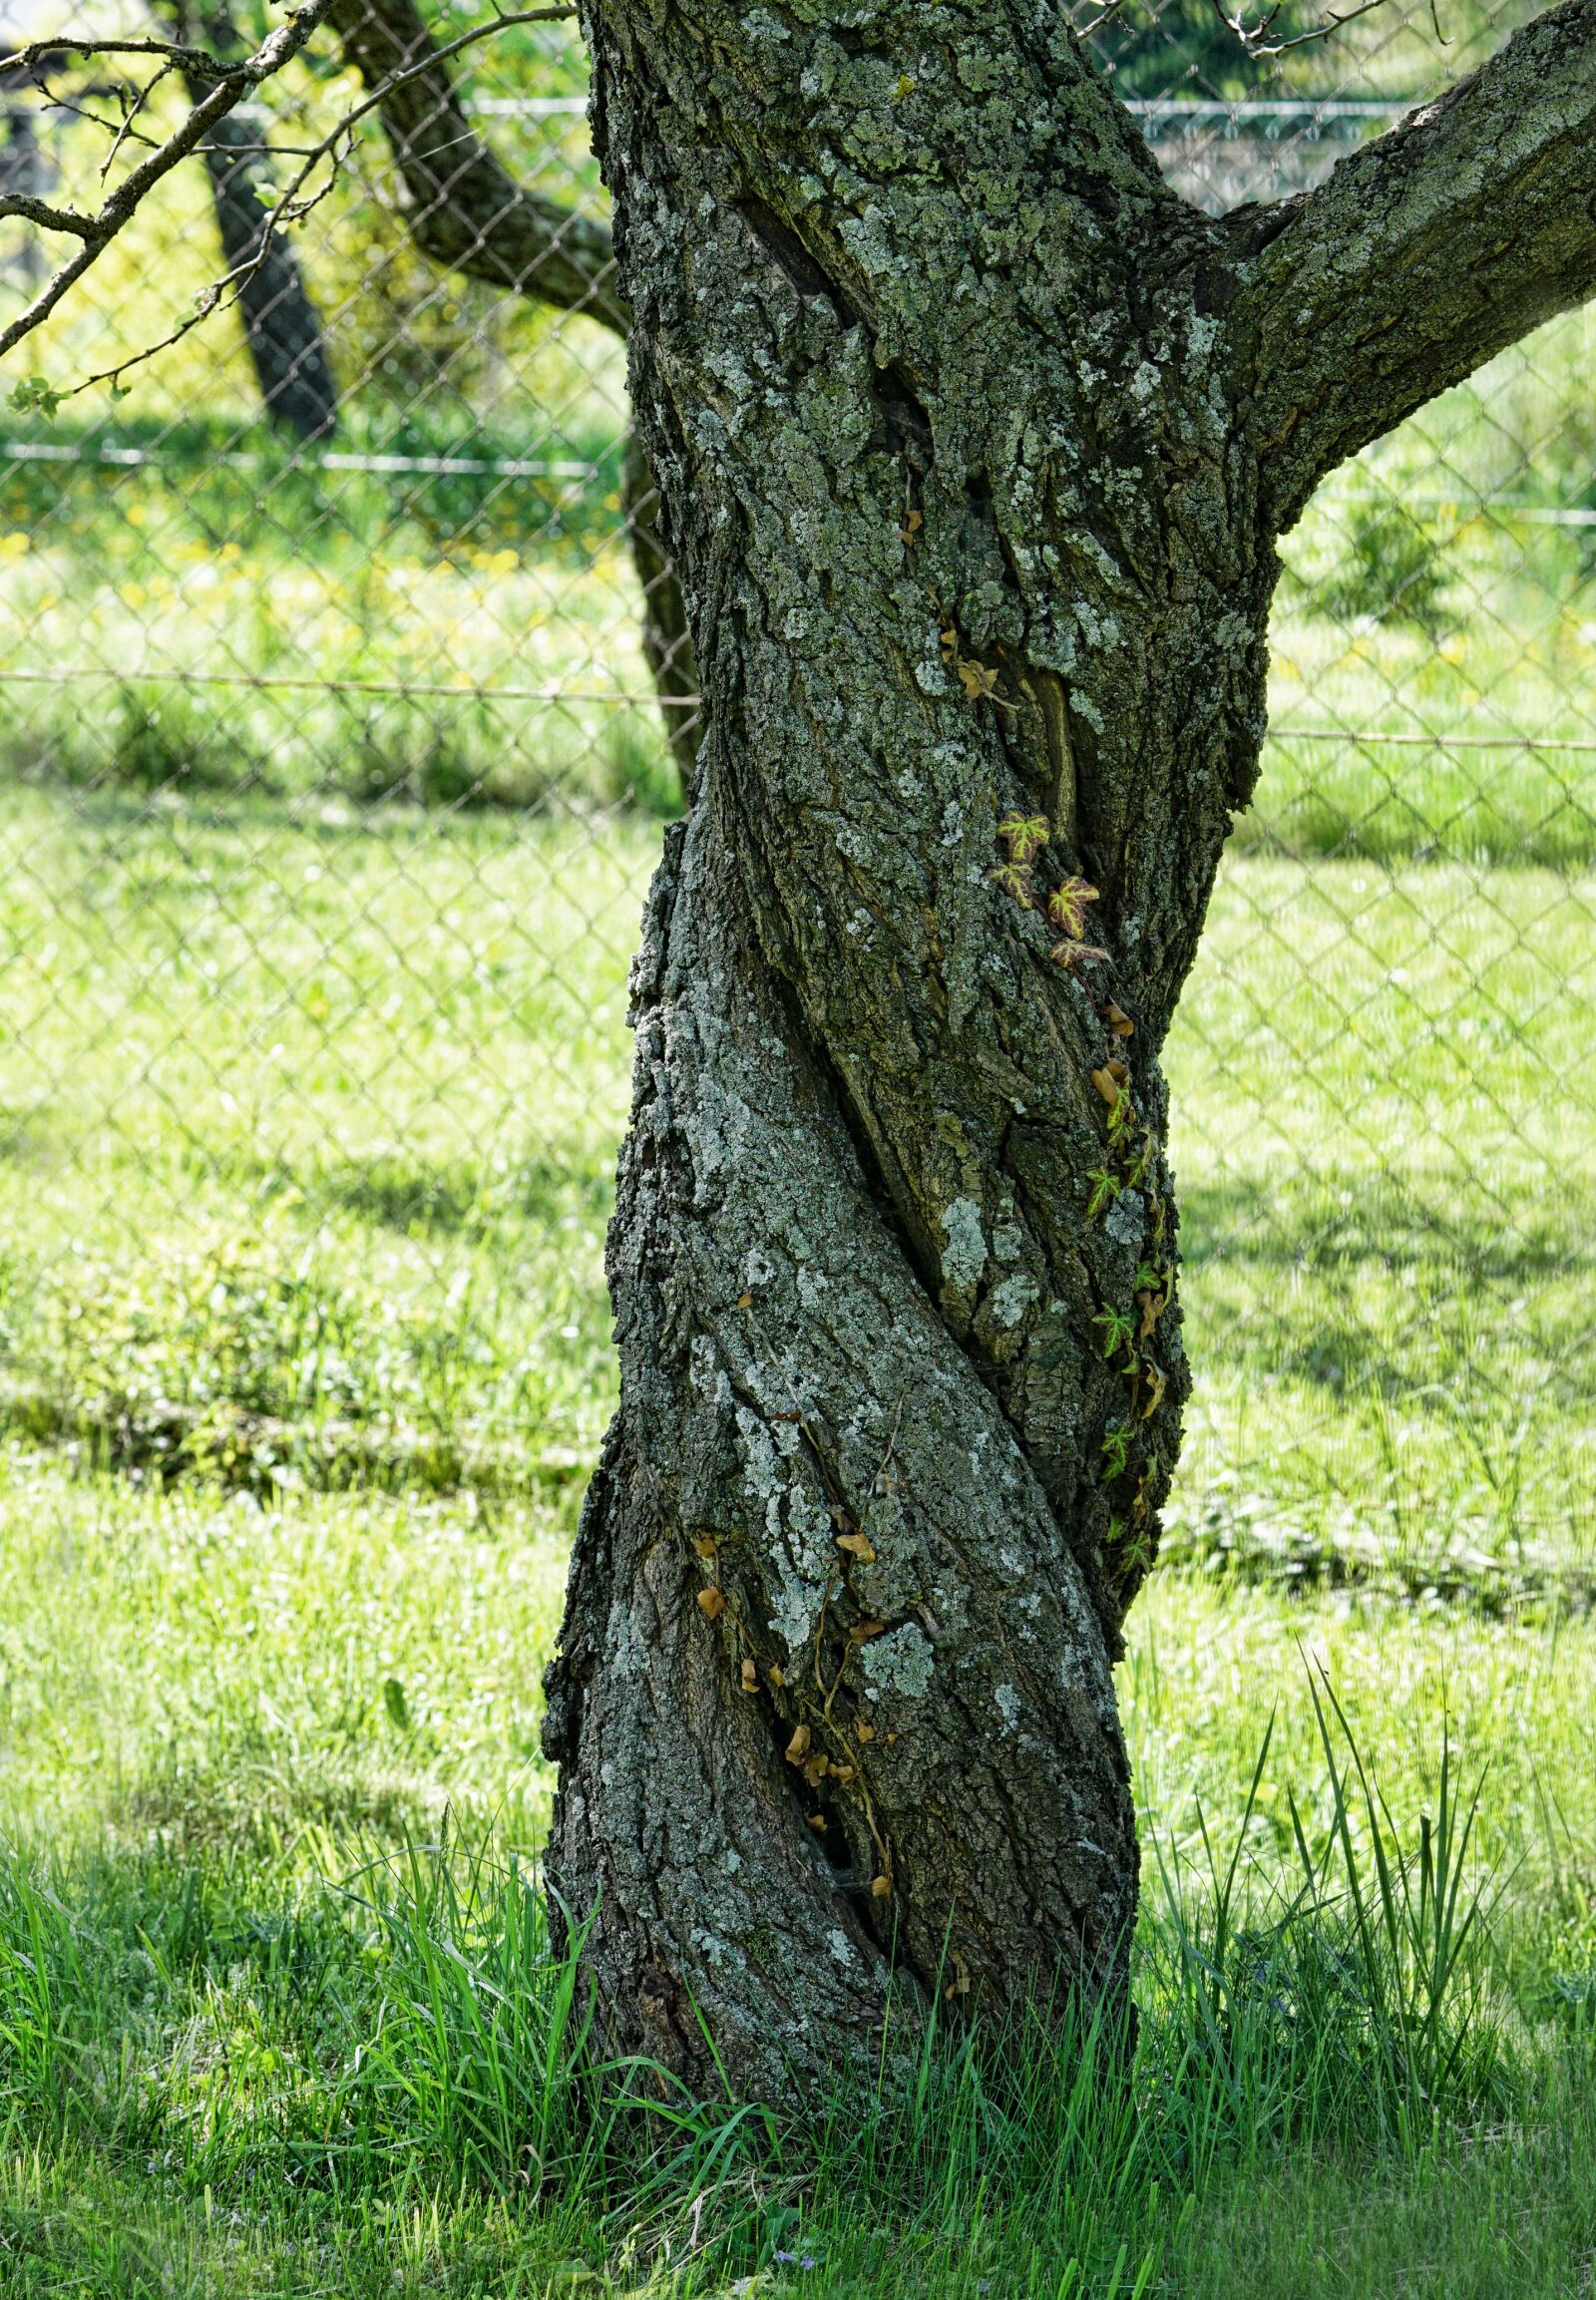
{"x":1422,"y":256}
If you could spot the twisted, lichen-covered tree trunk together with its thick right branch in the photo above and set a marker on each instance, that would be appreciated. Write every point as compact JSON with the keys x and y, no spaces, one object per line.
{"x":974,"y":445}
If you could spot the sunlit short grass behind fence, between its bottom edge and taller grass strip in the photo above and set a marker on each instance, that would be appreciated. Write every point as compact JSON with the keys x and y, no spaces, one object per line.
{"x":309,"y":1135}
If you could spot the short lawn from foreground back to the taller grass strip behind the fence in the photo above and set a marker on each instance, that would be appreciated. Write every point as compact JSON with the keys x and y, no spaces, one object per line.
{"x":309,"y":1121}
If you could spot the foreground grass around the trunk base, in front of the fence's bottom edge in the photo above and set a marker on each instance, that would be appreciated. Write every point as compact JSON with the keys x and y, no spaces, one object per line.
{"x":277,"y":2011}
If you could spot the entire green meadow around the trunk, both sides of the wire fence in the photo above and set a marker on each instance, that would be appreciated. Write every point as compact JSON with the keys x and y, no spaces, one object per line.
{"x":314,"y":1061}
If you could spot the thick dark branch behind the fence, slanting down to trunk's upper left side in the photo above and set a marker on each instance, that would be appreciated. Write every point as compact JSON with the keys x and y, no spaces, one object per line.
{"x":466,"y":210}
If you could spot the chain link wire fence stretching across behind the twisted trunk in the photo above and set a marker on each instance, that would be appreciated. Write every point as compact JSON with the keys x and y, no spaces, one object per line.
{"x":335,"y":772}
